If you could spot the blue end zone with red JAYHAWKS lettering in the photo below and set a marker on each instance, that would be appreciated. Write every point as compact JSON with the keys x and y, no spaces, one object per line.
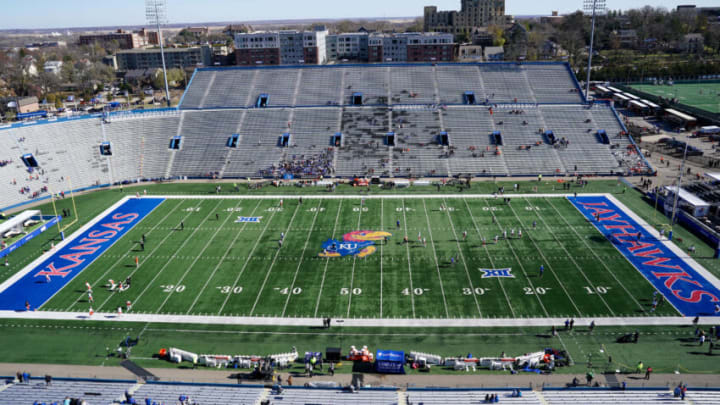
{"x":682,"y":285}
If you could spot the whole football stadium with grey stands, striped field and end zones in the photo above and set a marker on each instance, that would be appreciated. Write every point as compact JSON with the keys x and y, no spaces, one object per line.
{"x":473,"y":219}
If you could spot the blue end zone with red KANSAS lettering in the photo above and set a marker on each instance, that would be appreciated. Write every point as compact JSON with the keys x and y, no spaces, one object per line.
{"x":73,"y":258}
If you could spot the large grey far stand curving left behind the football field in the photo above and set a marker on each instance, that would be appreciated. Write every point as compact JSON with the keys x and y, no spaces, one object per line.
{"x":311,"y":104}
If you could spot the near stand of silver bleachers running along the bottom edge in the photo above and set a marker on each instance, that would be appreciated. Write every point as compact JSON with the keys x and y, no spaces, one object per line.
{"x":116,"y":391}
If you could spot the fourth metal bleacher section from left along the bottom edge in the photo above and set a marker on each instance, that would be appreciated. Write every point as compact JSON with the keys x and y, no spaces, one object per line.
{"x":441,"y":397}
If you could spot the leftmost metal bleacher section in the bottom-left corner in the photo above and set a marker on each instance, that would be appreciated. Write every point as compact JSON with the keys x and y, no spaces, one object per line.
{"x":94,"y":392}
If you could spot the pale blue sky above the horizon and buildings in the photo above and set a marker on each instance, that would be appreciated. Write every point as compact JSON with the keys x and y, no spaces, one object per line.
{"x":93,"y":13}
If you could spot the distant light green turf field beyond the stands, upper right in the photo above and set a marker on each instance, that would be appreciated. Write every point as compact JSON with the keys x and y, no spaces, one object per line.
{"x":705,"y":96}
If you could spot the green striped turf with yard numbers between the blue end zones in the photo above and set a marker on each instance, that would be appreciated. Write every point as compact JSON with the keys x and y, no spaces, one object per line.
{"x":217,"y":266}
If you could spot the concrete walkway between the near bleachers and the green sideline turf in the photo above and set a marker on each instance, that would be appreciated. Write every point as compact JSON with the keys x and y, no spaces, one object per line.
{"x":502,"y":379}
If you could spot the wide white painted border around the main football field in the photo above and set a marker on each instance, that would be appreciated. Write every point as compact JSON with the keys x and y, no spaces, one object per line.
{"x":363,"y":322}
